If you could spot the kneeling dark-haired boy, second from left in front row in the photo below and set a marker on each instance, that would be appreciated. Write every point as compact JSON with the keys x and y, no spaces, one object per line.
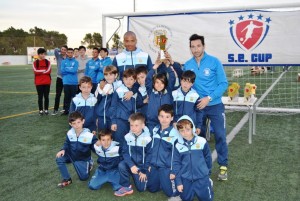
{"x":108,"y":152}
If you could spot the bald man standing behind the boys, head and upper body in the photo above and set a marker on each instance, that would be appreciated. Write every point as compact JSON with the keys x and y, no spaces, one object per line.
{"x":132,"y":56}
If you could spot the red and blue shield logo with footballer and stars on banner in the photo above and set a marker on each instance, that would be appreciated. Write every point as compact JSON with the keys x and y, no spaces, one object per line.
{"x":249,"y":31}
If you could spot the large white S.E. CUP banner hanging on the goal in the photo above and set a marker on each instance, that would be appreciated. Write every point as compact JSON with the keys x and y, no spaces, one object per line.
{"x":237,"y":38}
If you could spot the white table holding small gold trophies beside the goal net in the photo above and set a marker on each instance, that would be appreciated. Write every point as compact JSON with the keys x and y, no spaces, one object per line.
{"x":252,"y":111}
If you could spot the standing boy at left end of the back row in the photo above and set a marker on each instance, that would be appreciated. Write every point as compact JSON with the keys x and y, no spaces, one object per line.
{"x":85,"y":102}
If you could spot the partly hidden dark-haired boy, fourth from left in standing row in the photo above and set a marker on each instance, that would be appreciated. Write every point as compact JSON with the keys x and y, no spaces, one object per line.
{"x":141,"y":74}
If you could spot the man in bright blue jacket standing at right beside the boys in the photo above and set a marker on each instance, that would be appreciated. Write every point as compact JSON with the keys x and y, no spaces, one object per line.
{"x":211,"y":83}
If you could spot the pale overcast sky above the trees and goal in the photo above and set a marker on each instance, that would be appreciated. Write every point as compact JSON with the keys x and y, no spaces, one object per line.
{"x":75,"y":18}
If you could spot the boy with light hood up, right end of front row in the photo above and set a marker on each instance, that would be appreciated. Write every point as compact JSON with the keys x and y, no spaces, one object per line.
{"x":192,"y":163}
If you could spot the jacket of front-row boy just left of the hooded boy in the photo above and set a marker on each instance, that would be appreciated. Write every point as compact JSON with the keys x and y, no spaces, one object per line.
{"x":162,"y":149}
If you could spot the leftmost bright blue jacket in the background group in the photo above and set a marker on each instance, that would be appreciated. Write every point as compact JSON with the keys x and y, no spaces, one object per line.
{"x":69,"y":68}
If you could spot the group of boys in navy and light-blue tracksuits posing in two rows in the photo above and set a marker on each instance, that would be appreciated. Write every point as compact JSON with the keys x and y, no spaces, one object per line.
{"x":143,"y":125}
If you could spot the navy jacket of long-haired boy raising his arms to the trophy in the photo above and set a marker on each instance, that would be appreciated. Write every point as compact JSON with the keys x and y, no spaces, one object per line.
{"x":156,"y":99}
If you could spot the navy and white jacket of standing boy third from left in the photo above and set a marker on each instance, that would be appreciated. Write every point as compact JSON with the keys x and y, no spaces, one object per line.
{"x":122,"y":109}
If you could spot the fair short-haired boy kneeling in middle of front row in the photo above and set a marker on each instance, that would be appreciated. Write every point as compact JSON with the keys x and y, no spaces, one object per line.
{"x":136,"y":154}
